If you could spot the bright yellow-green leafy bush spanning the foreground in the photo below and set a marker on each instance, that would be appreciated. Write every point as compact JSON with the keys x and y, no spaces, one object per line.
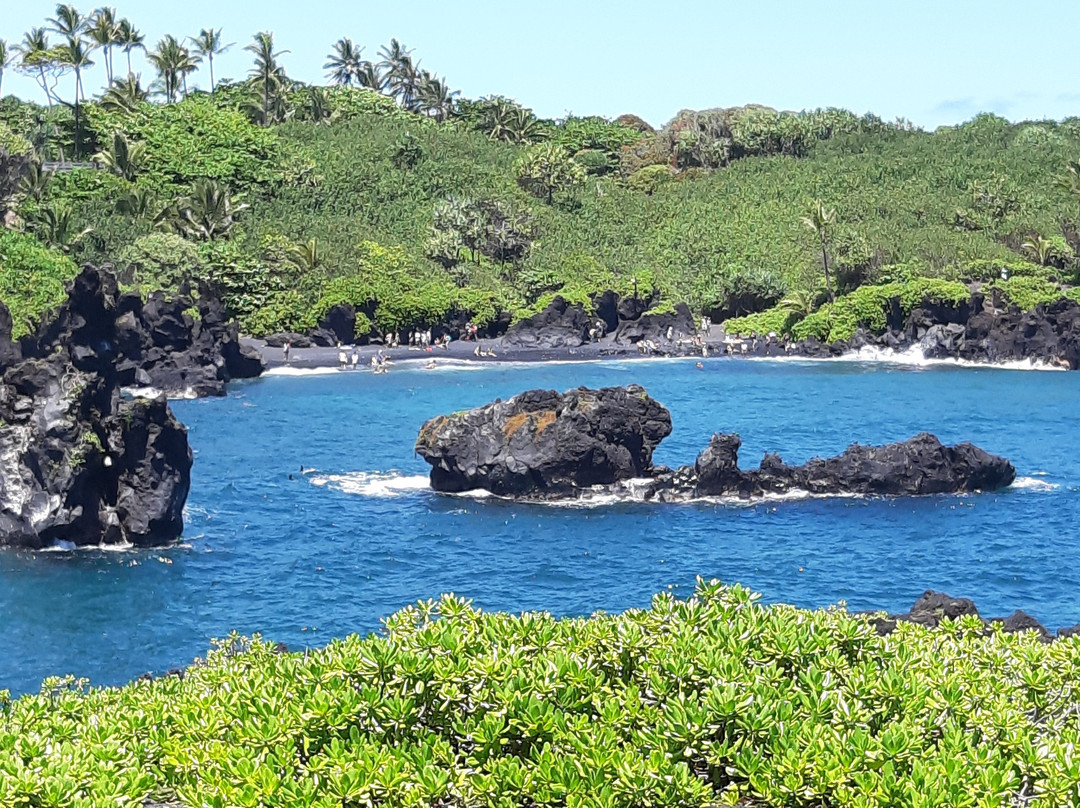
{"x":707,"y":702}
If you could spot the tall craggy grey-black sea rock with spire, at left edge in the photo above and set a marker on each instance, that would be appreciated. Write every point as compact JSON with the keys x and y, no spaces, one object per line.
{"x":79,"y":464}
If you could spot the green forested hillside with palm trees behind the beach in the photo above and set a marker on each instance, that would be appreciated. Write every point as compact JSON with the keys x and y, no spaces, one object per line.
{"x":388,"y":191}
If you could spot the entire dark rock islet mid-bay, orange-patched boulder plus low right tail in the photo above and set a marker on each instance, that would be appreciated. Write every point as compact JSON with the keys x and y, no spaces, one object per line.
{"x":545,"y":446}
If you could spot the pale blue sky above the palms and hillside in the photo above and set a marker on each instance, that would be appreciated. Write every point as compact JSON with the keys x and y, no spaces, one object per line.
{"x":933,"y":62}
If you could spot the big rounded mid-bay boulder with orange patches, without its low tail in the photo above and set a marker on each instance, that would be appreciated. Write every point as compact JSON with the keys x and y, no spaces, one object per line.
{"x":544,"y":443}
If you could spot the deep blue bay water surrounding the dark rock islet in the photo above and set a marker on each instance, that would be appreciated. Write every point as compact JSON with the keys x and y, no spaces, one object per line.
{"x":304,"y":559}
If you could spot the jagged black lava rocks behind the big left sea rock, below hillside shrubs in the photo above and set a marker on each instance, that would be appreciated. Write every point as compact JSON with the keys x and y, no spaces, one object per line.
{"x":173,"y":344}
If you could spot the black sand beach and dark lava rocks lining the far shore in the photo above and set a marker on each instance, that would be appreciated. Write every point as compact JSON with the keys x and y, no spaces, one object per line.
{"x":984,"y":331}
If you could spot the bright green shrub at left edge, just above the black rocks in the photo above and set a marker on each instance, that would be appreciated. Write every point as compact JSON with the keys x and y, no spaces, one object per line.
{"x":33,"y":279}
